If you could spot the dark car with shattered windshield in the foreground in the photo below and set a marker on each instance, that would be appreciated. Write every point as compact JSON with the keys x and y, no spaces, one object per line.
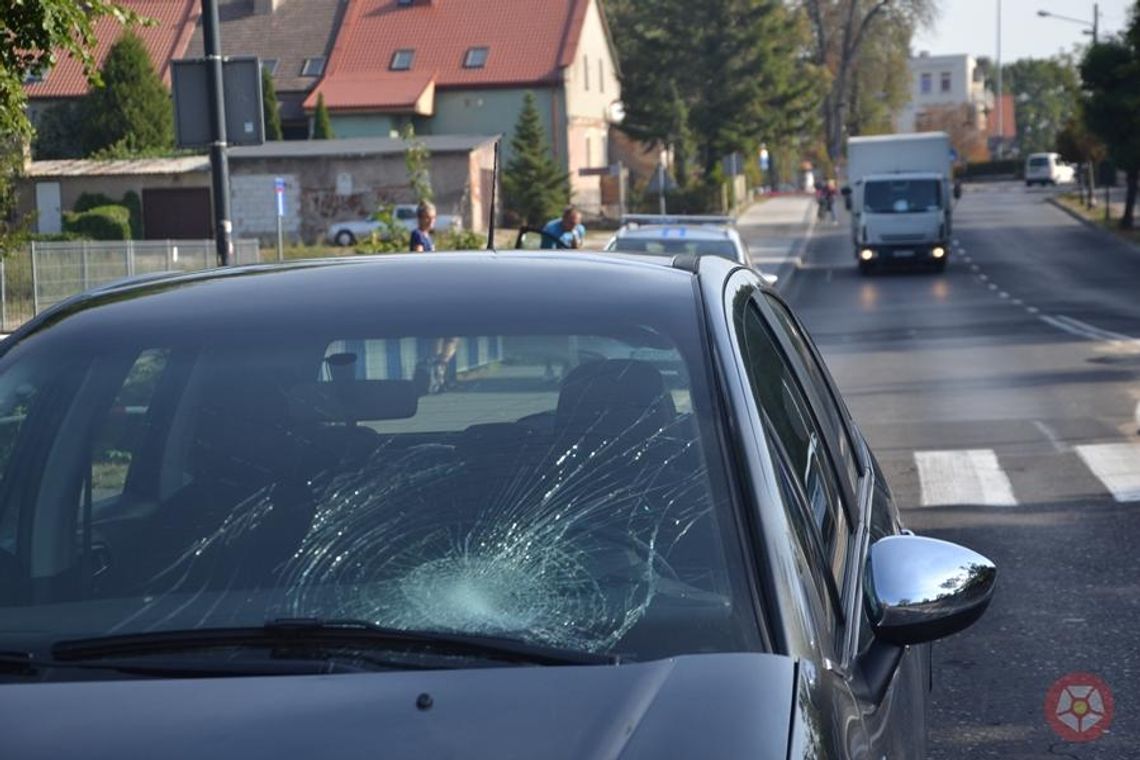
{"x":231,"y":525}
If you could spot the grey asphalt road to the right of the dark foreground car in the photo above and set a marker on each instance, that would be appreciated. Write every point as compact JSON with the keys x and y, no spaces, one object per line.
{"x":1001,"y":399}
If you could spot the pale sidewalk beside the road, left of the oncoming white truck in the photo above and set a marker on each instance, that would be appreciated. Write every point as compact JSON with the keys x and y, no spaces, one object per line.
{"x":777,"y":232}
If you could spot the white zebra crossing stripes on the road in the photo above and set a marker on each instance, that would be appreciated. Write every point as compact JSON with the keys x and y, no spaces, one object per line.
{"x":981,"y":478}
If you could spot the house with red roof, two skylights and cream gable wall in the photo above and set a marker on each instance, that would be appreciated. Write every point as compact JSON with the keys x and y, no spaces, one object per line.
{"x":462,"y":68}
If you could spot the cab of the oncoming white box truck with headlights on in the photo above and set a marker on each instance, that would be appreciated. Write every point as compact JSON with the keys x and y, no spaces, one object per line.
{"x":903,"y":217}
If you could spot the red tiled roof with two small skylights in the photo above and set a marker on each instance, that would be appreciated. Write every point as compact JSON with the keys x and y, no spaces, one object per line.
{"x":530,"y":43}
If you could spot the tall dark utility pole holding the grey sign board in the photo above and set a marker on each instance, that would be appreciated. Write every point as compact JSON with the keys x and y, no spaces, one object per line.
{"x":219,"y":164}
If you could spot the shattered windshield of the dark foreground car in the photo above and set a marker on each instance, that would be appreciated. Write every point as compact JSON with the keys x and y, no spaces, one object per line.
{"x":560,"y":489}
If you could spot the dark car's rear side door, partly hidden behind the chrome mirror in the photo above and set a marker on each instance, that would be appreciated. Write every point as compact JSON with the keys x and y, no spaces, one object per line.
{"x":892,"y":699}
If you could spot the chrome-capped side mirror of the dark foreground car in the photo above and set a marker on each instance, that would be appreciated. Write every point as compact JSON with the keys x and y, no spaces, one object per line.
{"x":924,"y":590}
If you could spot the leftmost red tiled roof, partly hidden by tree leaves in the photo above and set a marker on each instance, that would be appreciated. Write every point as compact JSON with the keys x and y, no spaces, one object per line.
{"x":165,"y":40}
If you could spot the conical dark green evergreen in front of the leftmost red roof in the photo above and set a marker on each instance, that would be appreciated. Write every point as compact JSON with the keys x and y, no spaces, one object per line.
{"x":131,"y":112}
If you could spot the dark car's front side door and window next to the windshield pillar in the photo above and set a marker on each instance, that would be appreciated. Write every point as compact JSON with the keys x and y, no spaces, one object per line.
{"x":816,"y":529}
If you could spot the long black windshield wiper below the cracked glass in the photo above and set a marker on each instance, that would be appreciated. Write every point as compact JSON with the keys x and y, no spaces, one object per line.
{"x":313,"y":633}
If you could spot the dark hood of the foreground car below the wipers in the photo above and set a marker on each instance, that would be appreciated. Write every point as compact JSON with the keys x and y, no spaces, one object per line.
{"x":716,"y":706}
